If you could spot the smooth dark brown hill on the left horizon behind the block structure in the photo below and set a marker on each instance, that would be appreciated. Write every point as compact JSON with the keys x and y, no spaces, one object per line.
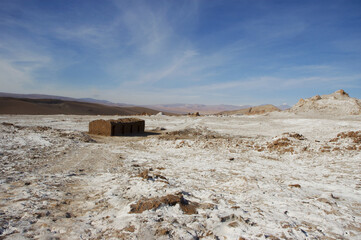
{"x":56,"y":106}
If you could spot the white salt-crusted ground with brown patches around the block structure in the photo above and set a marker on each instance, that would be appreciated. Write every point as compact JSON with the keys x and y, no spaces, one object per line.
{"x":277,"y":176}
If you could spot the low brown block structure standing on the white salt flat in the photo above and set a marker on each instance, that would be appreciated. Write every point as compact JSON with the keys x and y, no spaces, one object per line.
{"x":120,"y":127}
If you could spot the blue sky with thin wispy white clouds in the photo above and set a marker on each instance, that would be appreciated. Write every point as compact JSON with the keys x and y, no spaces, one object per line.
{"x":210,"y":52}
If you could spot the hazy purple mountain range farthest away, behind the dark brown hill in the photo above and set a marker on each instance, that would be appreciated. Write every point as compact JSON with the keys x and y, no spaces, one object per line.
{"x":178,"y":108}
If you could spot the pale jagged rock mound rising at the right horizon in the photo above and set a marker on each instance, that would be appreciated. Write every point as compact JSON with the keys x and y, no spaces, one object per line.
{"x":337,"y":103}
